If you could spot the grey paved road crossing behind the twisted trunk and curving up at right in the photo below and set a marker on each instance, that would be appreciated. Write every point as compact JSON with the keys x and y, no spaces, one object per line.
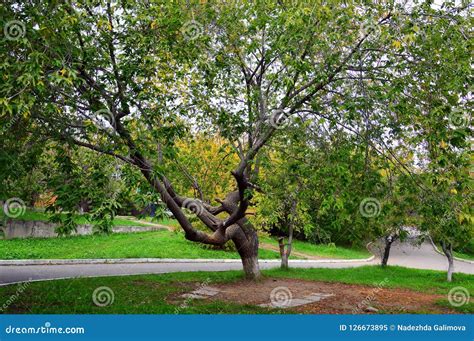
{"x":404,"y":254}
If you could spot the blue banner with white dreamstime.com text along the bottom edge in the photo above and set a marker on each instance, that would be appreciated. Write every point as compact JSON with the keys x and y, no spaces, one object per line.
{"x":237,"y":327}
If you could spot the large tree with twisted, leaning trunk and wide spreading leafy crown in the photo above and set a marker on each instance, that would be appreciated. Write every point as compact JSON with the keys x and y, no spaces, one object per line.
{"x":129,"y":79}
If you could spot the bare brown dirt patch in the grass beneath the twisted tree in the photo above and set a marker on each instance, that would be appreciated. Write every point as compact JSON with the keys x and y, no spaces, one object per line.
{"x":347,"y":299}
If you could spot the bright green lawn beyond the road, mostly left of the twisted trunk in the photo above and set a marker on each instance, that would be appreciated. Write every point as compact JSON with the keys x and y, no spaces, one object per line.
{"x":156,"y":244}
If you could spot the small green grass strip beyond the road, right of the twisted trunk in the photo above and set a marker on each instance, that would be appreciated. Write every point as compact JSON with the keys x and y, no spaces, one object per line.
{"x":321,"y":250}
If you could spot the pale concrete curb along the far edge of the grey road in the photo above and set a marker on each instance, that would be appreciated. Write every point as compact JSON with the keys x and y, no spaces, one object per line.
{"x":15,"y":262}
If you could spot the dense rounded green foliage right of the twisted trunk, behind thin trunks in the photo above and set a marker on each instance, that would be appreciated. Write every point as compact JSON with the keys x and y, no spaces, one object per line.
{"x":331,"y":179}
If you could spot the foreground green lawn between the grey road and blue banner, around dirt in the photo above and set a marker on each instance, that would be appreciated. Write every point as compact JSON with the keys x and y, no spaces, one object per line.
{"x":149,"y":294}
